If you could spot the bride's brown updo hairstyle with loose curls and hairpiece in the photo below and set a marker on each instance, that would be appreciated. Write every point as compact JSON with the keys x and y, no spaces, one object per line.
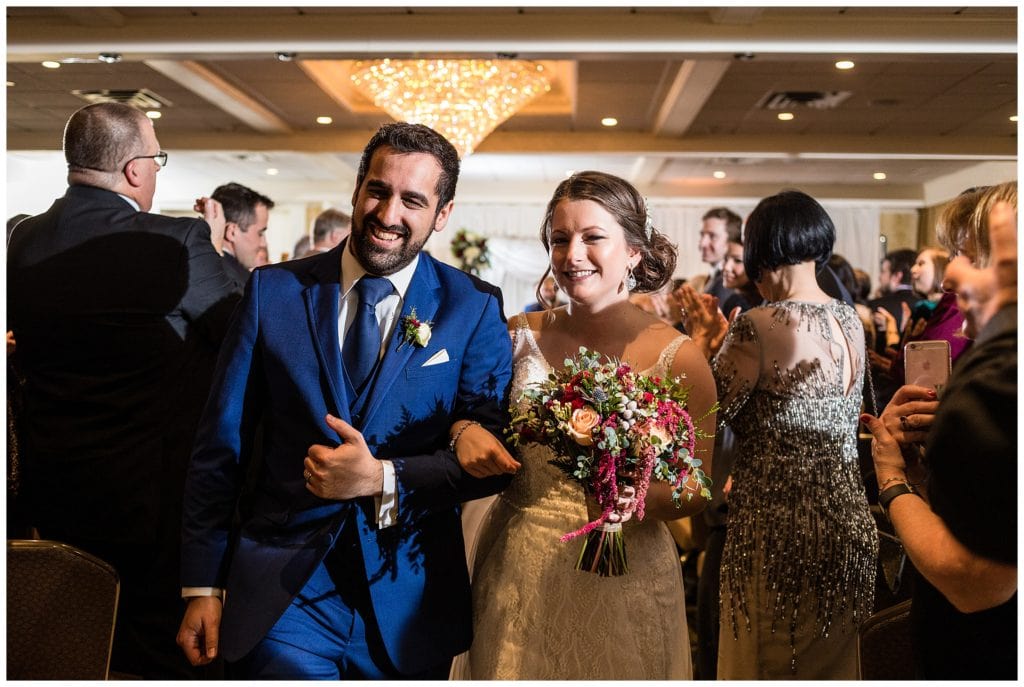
{"x":658,"y":254}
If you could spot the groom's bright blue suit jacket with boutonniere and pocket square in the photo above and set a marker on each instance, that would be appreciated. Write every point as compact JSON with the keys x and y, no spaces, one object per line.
{"x":279,"y":375}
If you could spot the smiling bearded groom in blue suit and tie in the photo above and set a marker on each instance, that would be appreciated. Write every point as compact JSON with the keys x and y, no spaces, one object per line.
{"x":322,"y":533}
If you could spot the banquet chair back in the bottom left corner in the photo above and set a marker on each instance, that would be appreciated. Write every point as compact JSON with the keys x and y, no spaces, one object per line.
{"x":61,"y":608}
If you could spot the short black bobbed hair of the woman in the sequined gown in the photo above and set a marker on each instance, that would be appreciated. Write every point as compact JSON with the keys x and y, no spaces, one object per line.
{"x":786,"y":230}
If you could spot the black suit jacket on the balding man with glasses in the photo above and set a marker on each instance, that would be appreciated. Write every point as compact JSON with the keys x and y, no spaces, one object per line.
{"x":118,"y":316}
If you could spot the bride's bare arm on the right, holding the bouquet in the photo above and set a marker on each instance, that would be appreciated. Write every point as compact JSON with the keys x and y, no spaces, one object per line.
{"x":692,"y":363}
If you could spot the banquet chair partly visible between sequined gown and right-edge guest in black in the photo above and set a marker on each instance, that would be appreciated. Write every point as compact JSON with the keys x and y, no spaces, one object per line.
{"x":884,"y":647}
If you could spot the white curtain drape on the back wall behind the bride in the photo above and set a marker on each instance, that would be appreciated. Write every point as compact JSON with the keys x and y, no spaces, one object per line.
{"x":519,"y":260}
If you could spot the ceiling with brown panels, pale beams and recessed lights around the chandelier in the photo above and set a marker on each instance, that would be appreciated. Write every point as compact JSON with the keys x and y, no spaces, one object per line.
{"x":930,"y":98}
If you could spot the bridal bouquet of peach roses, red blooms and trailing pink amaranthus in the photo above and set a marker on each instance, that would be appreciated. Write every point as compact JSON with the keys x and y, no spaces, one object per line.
{"x":613,"y":431}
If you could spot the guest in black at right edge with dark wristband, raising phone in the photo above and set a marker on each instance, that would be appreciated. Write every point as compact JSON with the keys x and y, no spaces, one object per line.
{"x":960,"y":533}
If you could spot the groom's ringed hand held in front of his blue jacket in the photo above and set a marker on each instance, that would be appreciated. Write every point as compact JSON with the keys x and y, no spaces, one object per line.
{"x":347,"y":471}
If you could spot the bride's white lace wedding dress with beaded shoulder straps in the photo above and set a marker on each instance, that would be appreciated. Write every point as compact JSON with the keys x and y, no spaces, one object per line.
{"x":535,"y":617}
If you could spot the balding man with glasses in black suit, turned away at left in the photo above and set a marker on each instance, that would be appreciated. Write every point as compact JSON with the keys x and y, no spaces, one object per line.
{"x":118,"y":315}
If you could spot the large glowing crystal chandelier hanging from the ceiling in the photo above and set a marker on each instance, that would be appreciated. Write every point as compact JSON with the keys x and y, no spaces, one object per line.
{"x":463,"y":100}
